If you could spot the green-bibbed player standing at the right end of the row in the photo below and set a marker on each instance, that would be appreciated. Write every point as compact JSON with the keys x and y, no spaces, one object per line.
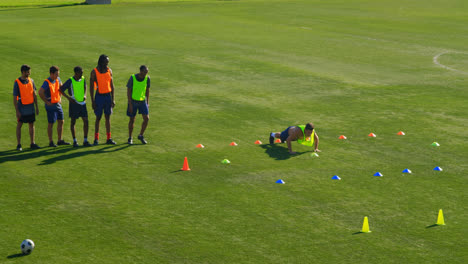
{"x":138,"y":101}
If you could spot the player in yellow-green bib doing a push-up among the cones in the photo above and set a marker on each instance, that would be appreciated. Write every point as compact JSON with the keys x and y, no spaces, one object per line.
{"x":303,"y":134}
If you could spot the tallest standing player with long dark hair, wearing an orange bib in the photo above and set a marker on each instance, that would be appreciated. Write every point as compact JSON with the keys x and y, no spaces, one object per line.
{"x":101,"y":81}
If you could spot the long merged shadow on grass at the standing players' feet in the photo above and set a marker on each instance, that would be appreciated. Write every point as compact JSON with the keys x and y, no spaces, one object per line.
{"x":64,"y":153}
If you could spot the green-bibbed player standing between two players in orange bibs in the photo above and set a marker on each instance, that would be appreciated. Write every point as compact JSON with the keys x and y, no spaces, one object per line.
{"x":76,"y":87}
